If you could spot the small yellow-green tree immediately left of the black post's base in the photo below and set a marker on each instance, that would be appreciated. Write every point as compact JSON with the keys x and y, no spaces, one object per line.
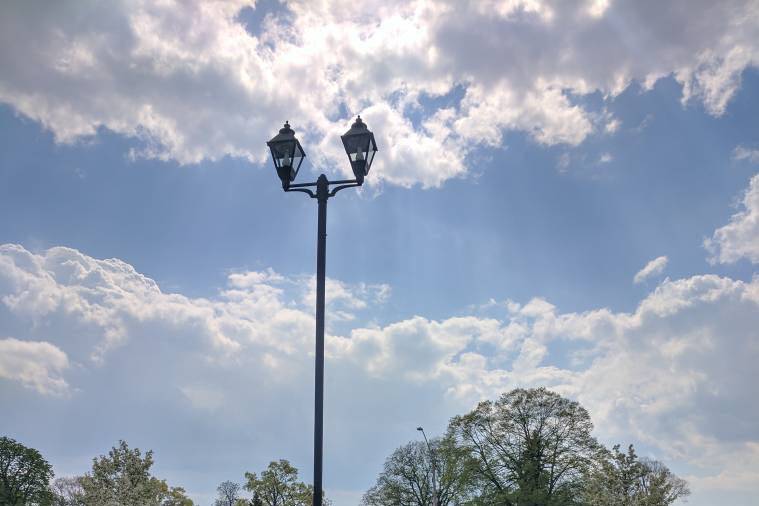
{"x":279,"y":486}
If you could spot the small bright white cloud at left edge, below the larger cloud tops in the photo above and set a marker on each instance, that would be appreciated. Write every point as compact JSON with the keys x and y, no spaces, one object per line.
{"x":36,"y":365}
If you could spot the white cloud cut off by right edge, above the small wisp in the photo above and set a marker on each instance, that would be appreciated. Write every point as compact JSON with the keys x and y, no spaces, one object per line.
{"x":740,"y":237}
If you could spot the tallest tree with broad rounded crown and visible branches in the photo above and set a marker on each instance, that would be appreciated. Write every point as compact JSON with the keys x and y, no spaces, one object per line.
{"x":531,"y":448}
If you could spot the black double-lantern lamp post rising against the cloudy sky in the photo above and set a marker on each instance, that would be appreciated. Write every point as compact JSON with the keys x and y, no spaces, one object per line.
{"x":288,"y":154}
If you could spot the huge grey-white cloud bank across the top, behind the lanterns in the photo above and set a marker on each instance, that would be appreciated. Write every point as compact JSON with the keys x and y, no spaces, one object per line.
{"x":193,"y":91}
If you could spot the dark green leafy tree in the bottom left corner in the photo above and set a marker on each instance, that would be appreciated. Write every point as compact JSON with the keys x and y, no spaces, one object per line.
{"x":24,"y":475}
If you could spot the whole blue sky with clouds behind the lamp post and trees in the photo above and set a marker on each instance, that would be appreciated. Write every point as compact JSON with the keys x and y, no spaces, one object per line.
{"x":566,"y":194}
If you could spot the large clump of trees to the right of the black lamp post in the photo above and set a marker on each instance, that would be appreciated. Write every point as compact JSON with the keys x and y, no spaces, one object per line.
{"x":531,"y":447}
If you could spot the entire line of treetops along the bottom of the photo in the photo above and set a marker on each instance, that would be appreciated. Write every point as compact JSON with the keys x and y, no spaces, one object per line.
{"x":531,"y":447}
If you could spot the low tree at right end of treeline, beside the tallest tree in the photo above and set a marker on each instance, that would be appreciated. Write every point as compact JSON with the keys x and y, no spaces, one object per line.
{"x":622,"y":479}
